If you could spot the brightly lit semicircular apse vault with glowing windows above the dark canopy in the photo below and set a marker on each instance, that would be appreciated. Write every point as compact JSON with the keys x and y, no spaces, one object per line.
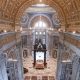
{"x":40,"y":22}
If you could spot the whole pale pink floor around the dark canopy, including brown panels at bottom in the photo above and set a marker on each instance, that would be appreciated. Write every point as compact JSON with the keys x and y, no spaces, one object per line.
{"x":48,"y":73}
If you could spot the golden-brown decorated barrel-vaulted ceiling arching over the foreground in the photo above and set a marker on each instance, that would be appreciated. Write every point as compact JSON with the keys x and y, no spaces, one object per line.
{"x":68,"y":10}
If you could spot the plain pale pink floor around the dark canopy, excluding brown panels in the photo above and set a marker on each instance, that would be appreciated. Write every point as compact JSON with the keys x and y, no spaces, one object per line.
{"x":49,"y":71}
